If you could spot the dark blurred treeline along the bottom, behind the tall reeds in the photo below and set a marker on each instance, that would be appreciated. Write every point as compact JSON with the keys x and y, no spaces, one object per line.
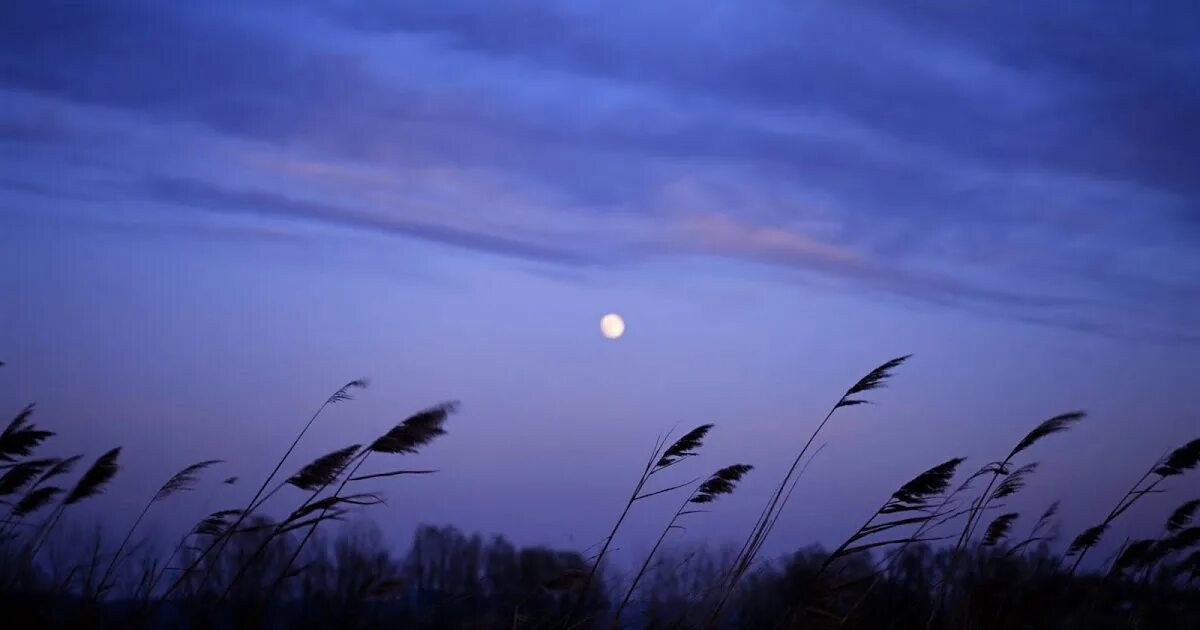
{"x":452,"y":580}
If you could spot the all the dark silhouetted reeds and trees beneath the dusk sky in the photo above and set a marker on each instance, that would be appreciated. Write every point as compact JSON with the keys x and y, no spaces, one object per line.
{"x":938,"y":554}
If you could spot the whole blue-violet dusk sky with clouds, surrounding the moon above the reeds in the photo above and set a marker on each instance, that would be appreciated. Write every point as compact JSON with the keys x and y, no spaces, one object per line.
{"x":214,"y":214}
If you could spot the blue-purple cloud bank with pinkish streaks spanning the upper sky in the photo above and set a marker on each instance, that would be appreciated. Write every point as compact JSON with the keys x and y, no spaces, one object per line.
{"x":916,"y":153}
